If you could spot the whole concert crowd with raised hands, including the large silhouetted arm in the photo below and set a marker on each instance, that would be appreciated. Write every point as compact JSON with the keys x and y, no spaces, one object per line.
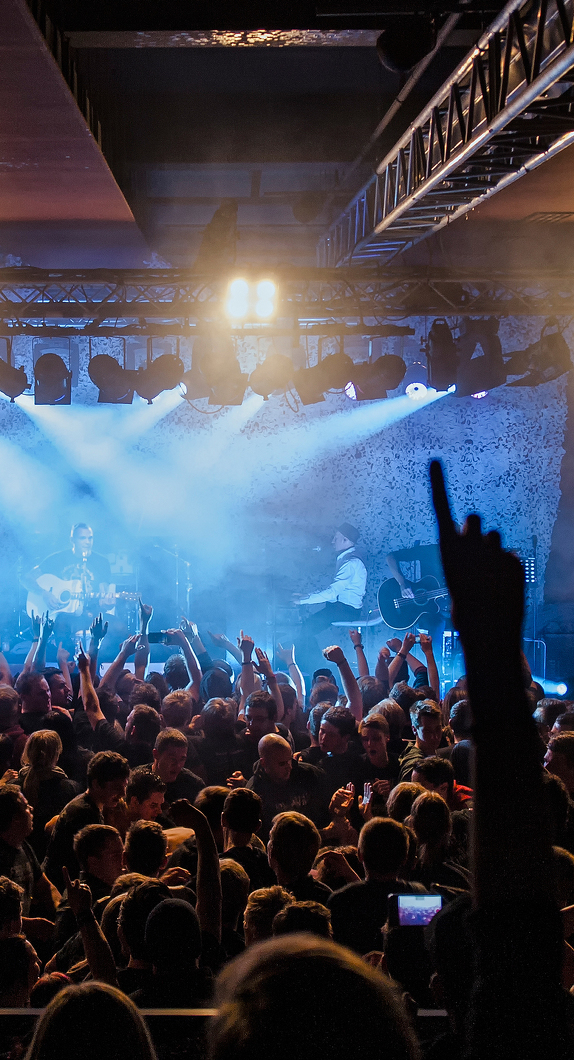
{"x":232,"y":835}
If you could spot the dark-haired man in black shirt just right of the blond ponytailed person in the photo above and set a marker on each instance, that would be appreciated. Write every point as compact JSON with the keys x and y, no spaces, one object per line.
{"x":107,"y":781}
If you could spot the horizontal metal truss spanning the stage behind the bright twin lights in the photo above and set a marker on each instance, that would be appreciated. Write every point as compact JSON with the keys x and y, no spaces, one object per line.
{"x":174,"y":303}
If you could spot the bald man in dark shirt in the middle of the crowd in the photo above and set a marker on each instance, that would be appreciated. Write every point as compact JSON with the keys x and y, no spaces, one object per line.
{"x":284,"y":785}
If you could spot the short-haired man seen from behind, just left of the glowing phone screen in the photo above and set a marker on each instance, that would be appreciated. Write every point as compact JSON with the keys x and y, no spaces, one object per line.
{"x":360,"y":910}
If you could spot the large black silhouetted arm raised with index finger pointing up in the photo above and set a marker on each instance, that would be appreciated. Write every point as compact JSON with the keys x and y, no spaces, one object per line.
{"x":517,"y":1003}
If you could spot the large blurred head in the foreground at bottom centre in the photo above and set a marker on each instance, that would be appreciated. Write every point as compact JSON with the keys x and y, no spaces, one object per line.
{"x":308,"y":976}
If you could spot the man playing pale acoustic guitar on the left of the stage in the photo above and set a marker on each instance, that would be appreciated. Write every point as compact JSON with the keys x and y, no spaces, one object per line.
{"x":80,"y":564}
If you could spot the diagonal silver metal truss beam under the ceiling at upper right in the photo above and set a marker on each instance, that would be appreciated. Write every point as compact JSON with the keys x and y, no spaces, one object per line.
{"x":507,"y":110}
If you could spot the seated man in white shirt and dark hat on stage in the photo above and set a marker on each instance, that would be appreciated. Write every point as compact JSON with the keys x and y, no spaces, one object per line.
{"x":344,"y":598}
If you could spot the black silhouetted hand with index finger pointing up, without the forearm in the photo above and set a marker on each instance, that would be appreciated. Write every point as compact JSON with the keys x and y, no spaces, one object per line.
{"x":487,"y":584}
